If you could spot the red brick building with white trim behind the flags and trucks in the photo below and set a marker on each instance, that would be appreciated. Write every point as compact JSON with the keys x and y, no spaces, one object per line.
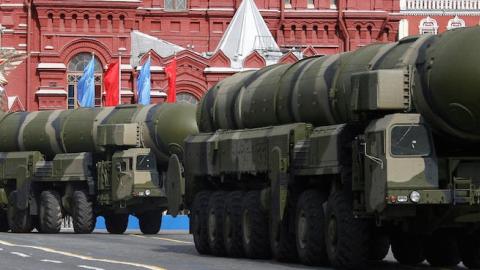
{"x":60,"y":36}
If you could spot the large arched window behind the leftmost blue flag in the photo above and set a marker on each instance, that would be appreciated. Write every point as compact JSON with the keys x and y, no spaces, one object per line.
{"x":74,"y":73}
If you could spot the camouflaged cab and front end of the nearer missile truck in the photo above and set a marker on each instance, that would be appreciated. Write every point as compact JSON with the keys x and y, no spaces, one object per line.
{"x":398,"y":168}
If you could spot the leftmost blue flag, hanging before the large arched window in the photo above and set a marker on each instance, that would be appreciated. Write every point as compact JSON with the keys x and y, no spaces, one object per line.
{"x":86,"y":86}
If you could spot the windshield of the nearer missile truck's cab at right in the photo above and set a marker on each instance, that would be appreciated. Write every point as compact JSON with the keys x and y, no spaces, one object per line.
{"x":410,"y":141}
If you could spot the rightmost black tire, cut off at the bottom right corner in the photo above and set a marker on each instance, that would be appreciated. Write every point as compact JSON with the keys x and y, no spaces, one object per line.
{"x":470,"y":250}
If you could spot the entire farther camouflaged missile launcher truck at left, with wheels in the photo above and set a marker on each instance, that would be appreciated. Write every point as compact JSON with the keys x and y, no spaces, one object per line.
{"x":86,"y":163}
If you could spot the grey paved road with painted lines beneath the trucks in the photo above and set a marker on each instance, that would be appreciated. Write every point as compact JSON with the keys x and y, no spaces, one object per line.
{"x":101,"y":251}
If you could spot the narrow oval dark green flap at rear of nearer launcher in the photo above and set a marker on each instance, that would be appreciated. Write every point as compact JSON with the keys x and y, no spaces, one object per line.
{"x":175,"y":185}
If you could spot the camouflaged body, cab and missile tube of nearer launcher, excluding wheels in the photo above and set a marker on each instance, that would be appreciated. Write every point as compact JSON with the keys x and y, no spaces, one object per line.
{"x":389,"y":120}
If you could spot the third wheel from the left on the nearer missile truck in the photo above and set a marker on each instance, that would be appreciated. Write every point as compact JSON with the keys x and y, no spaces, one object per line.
{"x":232,"y":228}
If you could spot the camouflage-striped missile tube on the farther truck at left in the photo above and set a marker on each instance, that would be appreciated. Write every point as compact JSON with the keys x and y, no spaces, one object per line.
{"x":69,"y":131}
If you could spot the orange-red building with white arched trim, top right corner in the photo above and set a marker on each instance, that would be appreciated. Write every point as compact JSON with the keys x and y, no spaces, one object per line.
{"x":436,"y":16}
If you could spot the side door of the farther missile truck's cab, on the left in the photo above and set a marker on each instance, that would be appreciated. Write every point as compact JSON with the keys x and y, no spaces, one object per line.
{"x":122,"y":176}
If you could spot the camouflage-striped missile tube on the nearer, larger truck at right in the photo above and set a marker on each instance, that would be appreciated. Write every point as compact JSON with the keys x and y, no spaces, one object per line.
{"x":318,"y":90}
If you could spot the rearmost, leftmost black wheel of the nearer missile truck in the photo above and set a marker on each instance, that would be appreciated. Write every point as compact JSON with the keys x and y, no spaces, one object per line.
{"x":199,"y":222}
